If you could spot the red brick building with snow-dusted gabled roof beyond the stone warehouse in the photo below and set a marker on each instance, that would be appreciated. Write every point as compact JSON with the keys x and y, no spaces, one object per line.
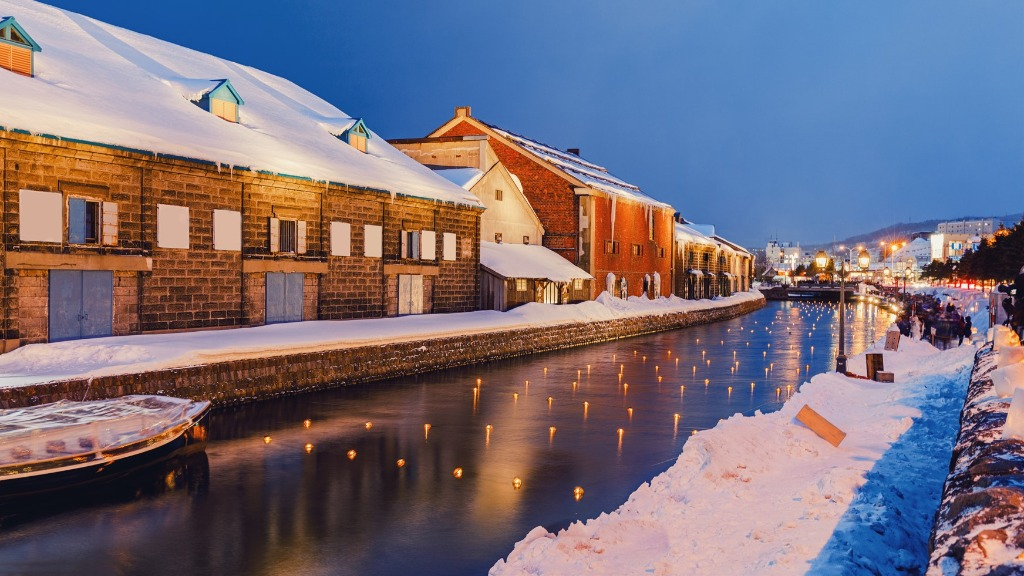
{"x":598,"y":222}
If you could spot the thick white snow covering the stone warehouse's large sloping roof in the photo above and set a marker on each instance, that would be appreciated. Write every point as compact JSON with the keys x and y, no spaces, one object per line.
{"x":103,"y":85}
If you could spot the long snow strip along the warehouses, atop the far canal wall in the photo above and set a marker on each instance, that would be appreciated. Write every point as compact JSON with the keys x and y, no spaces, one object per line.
{"x":121,"y":355}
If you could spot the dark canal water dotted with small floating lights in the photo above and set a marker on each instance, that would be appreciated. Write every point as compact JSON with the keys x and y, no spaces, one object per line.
{"x":415,"y":476}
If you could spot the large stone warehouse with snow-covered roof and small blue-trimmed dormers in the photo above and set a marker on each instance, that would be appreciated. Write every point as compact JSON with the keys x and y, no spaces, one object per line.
{"x":218,"y":195}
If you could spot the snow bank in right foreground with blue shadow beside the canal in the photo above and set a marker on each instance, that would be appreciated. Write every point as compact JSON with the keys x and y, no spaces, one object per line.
{"x":764,"y":495}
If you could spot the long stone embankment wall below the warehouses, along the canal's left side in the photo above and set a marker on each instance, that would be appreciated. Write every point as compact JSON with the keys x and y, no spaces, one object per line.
{"x":244,"y":381}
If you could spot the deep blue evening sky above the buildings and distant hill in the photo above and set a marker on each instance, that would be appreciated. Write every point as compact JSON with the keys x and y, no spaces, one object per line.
{"x":799,"y":118}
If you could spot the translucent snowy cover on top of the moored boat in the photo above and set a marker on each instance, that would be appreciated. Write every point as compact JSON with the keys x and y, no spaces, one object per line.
{"x":67,"y":429}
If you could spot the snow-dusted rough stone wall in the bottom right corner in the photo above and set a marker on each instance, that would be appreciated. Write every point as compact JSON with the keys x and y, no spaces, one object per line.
{"x":979,"y":528}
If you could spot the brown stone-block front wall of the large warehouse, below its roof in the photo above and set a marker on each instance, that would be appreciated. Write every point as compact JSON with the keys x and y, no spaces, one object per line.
{"x":201,"y":287}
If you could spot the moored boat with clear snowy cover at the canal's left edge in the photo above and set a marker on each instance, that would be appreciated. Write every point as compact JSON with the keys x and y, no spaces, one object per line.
{"x":67,"y":444}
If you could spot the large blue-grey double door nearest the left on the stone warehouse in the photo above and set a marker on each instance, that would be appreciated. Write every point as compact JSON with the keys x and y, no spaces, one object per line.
{"x":81,"y":305}
